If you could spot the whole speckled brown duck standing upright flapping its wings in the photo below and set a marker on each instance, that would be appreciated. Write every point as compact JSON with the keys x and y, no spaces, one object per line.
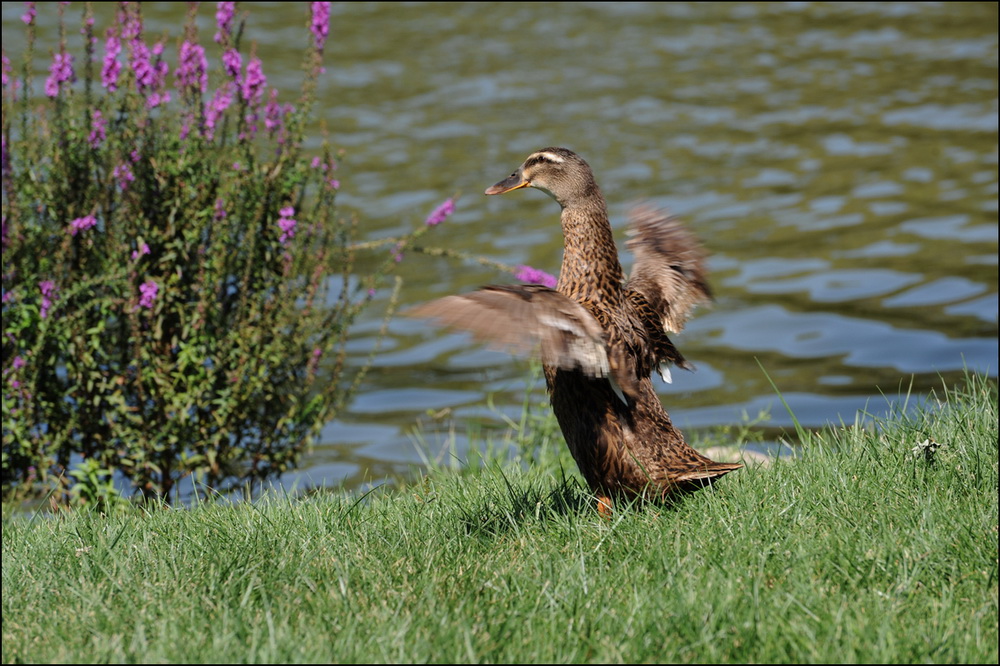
{"x":600,"y":336}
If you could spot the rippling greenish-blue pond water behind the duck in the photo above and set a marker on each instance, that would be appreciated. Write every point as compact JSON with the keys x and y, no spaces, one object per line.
{"x":839,"y":162}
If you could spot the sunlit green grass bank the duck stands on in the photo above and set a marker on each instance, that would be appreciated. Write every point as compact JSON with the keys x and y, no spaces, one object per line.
{"x":858,"y":550}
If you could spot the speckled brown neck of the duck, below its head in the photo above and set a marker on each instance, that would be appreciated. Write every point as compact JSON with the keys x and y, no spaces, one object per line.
{"x":590,"y":269}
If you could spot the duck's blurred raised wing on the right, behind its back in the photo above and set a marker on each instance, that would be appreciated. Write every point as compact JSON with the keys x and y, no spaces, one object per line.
{"x":669,"y":270}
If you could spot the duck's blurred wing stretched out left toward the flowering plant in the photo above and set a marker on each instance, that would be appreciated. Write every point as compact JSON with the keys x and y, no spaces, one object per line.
{"x":526,"y":319}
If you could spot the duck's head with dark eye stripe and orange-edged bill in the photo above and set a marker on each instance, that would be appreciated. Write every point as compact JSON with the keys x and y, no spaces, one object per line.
{"x":560,"y":173}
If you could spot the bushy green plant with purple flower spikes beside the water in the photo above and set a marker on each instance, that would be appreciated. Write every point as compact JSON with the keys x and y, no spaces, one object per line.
{"x":177,"y":289}
